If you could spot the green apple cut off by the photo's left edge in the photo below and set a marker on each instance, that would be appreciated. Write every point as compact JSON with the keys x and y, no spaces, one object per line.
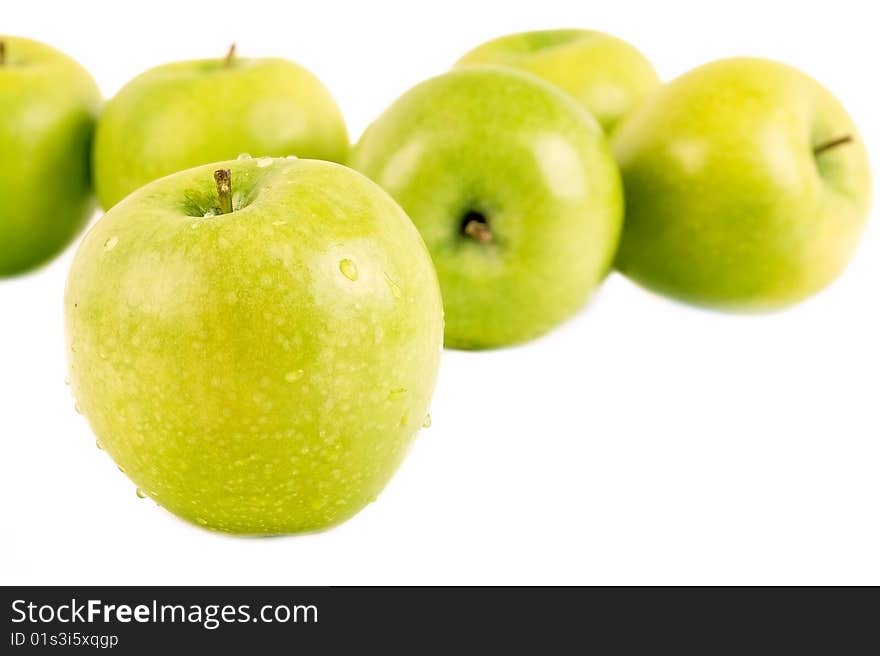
{"x":48,"y":107}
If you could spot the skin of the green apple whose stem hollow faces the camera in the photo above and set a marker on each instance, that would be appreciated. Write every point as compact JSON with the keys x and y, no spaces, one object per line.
{"x":534,"y":164}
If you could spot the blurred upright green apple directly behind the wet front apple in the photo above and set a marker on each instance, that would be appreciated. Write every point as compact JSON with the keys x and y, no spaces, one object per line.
{"x":184,"y":114}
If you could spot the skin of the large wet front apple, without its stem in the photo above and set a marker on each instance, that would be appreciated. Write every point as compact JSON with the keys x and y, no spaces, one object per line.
{"x":259,"y":372}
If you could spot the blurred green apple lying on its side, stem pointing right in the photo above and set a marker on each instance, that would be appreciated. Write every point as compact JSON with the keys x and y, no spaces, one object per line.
{"x":747,"y":186}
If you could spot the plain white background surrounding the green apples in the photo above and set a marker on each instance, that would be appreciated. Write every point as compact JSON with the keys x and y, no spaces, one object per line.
{"x":643,"y":442}
